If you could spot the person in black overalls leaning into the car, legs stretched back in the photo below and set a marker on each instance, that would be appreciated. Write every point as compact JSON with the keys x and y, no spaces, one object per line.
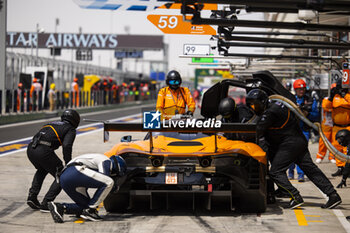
{"x":287,"y":144}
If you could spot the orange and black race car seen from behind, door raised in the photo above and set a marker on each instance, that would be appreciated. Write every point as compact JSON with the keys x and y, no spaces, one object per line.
{"x":199,"y":165}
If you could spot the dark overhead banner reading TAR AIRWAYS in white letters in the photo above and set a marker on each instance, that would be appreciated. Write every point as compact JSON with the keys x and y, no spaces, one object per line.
{"x":74,"y":41}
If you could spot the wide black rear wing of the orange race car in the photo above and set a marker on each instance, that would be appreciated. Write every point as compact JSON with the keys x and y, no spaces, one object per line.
{"x":139,"y":127}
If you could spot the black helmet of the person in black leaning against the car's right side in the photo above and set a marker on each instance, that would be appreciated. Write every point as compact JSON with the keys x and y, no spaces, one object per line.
{"x":257,"y":100}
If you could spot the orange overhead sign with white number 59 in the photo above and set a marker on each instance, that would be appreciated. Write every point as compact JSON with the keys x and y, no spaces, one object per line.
{"x":173,"y":24}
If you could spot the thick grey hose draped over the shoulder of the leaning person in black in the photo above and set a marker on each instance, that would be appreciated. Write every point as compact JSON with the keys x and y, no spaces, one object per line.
{"x":316,"y":126}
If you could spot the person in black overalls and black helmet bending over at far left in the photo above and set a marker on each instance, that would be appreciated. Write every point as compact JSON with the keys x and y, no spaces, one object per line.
{"x":41,"y":153}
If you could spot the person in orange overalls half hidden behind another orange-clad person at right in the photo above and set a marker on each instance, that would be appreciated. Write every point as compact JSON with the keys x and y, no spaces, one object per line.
{"x":326,"y":126}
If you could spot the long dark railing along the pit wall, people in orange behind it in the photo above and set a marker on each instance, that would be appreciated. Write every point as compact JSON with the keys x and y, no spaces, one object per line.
{"x":23,"y":102}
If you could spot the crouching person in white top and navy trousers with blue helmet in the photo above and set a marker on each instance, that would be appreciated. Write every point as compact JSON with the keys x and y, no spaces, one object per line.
{"x":83,"y":172}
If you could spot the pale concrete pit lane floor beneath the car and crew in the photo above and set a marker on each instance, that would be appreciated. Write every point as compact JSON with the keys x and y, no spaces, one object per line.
{"x":16,"y":174}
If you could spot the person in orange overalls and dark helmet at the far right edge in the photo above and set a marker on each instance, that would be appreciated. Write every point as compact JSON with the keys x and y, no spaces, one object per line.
{"x":339,"y":104}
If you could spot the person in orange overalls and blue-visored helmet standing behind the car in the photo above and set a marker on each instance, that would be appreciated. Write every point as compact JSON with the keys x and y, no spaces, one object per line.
{"x":173,"y":99}
